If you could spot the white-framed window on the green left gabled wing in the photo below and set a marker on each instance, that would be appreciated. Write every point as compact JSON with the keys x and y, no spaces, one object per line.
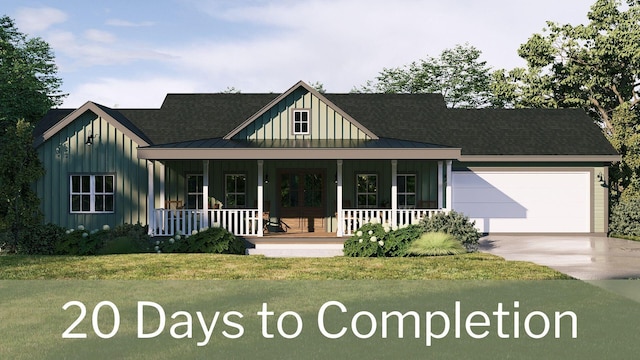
{"x":92,"y":193}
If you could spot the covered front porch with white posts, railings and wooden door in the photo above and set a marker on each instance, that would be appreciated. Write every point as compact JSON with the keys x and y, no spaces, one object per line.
{"x":293,"y":197}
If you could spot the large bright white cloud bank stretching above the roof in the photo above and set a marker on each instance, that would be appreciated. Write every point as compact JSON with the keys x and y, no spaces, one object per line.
{"x":339,"y":43}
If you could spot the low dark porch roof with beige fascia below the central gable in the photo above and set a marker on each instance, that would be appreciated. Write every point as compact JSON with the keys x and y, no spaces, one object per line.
{"x":220,"y":148}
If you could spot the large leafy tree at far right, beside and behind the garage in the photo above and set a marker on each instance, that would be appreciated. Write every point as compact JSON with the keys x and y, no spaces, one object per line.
{"x":594,"y":66}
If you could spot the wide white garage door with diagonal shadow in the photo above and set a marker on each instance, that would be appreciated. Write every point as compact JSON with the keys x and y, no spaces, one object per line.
{"x":524,"y":201}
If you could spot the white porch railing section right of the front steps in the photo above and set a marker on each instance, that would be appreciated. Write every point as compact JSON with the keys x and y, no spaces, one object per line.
{"x":353,"y":219}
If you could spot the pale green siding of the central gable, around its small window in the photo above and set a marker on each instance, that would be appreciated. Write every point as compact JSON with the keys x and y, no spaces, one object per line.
{"x":326,"y":123}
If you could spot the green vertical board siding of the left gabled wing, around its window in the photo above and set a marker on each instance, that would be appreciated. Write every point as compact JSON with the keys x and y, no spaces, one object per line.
{"x":112,"y":152}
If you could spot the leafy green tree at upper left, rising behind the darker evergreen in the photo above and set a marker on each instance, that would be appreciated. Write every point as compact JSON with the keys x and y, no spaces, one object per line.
{"x":28,"y":82}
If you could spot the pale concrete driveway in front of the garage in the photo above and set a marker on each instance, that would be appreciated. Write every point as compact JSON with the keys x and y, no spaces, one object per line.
{"x":583,"y":257}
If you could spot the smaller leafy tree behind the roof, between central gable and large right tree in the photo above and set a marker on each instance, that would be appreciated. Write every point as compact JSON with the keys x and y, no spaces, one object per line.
{"x":457,"y":74}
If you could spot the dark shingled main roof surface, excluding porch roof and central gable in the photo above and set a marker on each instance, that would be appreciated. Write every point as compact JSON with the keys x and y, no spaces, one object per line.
{"x":419,"y":118}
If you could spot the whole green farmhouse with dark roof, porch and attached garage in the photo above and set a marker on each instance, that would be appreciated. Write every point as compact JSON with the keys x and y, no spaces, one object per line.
{"x":306,"y":162}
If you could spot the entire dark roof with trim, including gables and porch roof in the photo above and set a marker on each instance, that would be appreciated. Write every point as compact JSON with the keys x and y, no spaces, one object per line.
{"x":204,"y":120}
